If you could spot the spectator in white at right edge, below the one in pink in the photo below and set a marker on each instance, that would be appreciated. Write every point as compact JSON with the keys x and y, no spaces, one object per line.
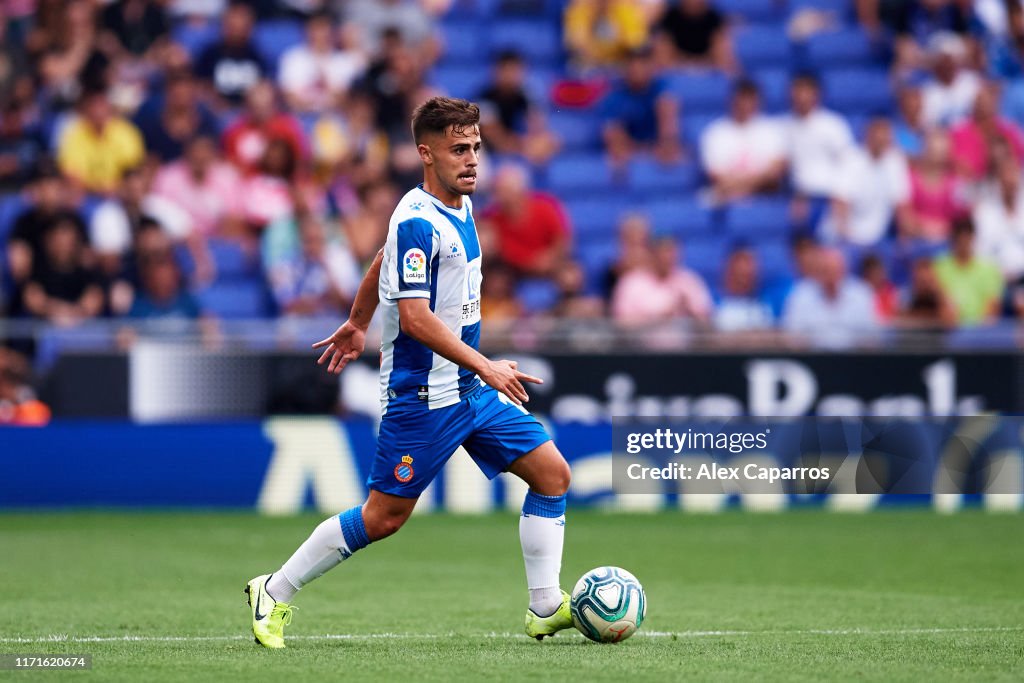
{"x":999,"y":219}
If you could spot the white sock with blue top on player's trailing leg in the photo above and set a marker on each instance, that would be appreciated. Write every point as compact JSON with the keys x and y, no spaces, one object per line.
{"x":325,"y":549}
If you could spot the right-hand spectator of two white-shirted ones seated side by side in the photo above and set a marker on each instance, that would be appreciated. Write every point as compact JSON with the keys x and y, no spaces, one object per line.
{"x":820,"y":140}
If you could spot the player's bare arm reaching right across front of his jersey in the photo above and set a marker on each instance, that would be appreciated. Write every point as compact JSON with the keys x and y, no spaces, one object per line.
{"x":419,"y":322}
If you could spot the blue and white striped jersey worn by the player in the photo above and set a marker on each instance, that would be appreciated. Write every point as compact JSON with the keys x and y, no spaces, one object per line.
{"x":433,"y":251}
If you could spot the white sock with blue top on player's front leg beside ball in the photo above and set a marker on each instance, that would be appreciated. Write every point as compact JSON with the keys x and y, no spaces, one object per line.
{"x":542,"y":539}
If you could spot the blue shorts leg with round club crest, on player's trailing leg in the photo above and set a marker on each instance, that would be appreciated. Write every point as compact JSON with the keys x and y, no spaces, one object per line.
{"x":412,"y":449}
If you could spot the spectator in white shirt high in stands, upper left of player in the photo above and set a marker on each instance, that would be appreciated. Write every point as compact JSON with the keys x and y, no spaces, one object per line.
{"x":316,"y":73}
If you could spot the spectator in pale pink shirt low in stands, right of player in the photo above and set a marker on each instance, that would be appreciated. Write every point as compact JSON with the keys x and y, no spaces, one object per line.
{"x":663,"y":292}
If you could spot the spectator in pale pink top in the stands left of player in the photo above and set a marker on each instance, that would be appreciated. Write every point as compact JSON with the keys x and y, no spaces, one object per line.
{"x":205,"y":187}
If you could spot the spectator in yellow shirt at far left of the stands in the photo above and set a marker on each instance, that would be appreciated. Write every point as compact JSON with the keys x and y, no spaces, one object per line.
{"x":99,"y":147}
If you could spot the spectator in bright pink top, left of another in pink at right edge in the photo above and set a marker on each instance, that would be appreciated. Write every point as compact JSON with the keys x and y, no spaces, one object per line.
{"x":936,"y":193}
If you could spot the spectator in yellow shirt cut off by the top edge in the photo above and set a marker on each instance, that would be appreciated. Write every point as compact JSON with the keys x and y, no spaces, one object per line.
{"x":601,"y":33}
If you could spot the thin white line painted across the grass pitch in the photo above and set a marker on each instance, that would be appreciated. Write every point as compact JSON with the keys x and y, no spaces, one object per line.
{"x":62,"y":638}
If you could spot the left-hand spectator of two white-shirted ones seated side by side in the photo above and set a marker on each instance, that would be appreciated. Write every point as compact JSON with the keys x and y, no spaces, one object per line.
{"x":744,"y":153}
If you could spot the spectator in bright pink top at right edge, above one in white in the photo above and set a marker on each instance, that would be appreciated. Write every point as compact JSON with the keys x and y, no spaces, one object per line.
{"x":973,"y":140}
